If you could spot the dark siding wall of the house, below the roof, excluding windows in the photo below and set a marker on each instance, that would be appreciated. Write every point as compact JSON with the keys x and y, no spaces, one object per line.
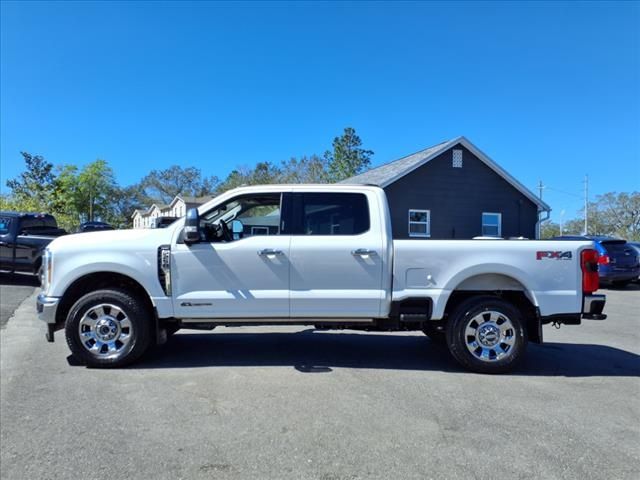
{"x":457,"y":197}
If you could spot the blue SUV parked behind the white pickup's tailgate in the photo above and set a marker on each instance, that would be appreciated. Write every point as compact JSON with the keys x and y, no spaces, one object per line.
{"x":618,"y":262}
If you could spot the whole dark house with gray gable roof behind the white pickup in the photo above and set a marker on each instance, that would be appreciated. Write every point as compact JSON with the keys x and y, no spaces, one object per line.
{"x":454,"y":190}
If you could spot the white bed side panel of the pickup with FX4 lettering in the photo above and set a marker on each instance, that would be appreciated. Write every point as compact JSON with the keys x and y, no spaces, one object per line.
{"x":435,"y":268}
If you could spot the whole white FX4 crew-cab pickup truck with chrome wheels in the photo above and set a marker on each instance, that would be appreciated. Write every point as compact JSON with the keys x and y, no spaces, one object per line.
{"x":319,"y":255}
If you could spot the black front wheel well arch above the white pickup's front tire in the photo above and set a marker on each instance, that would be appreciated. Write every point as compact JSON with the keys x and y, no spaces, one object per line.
{"x":98,"y":281}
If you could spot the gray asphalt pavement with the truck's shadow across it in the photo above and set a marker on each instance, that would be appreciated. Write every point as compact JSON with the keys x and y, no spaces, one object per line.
{"x":280,"y":403}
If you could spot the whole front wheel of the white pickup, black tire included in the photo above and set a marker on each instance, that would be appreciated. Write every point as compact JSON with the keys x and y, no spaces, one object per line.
{"x":132,"y":312}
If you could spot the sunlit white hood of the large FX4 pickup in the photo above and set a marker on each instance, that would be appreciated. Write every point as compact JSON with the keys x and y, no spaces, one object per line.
{"x":138,"y":239}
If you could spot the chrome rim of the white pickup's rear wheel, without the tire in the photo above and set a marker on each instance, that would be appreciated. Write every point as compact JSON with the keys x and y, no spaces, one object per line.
{"x":490,"y":336}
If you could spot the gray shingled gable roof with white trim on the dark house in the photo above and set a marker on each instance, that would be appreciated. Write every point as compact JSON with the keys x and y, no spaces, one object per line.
{"x":390,"y":172}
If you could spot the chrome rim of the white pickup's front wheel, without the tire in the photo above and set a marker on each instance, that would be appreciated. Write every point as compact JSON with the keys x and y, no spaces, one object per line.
{"x":106,"y":331}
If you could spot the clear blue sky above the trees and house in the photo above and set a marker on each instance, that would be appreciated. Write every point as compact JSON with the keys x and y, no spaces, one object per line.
{"x":551,"y":91}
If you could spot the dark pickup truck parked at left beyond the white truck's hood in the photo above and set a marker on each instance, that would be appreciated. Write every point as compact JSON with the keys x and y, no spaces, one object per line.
{"x":23,"y":238}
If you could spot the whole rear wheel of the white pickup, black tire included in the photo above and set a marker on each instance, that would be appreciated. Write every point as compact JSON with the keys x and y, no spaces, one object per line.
{"x":468,"y":350}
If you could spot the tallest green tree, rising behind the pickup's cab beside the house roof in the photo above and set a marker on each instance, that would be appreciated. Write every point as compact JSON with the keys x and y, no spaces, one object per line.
{"x":347,"y":157}
